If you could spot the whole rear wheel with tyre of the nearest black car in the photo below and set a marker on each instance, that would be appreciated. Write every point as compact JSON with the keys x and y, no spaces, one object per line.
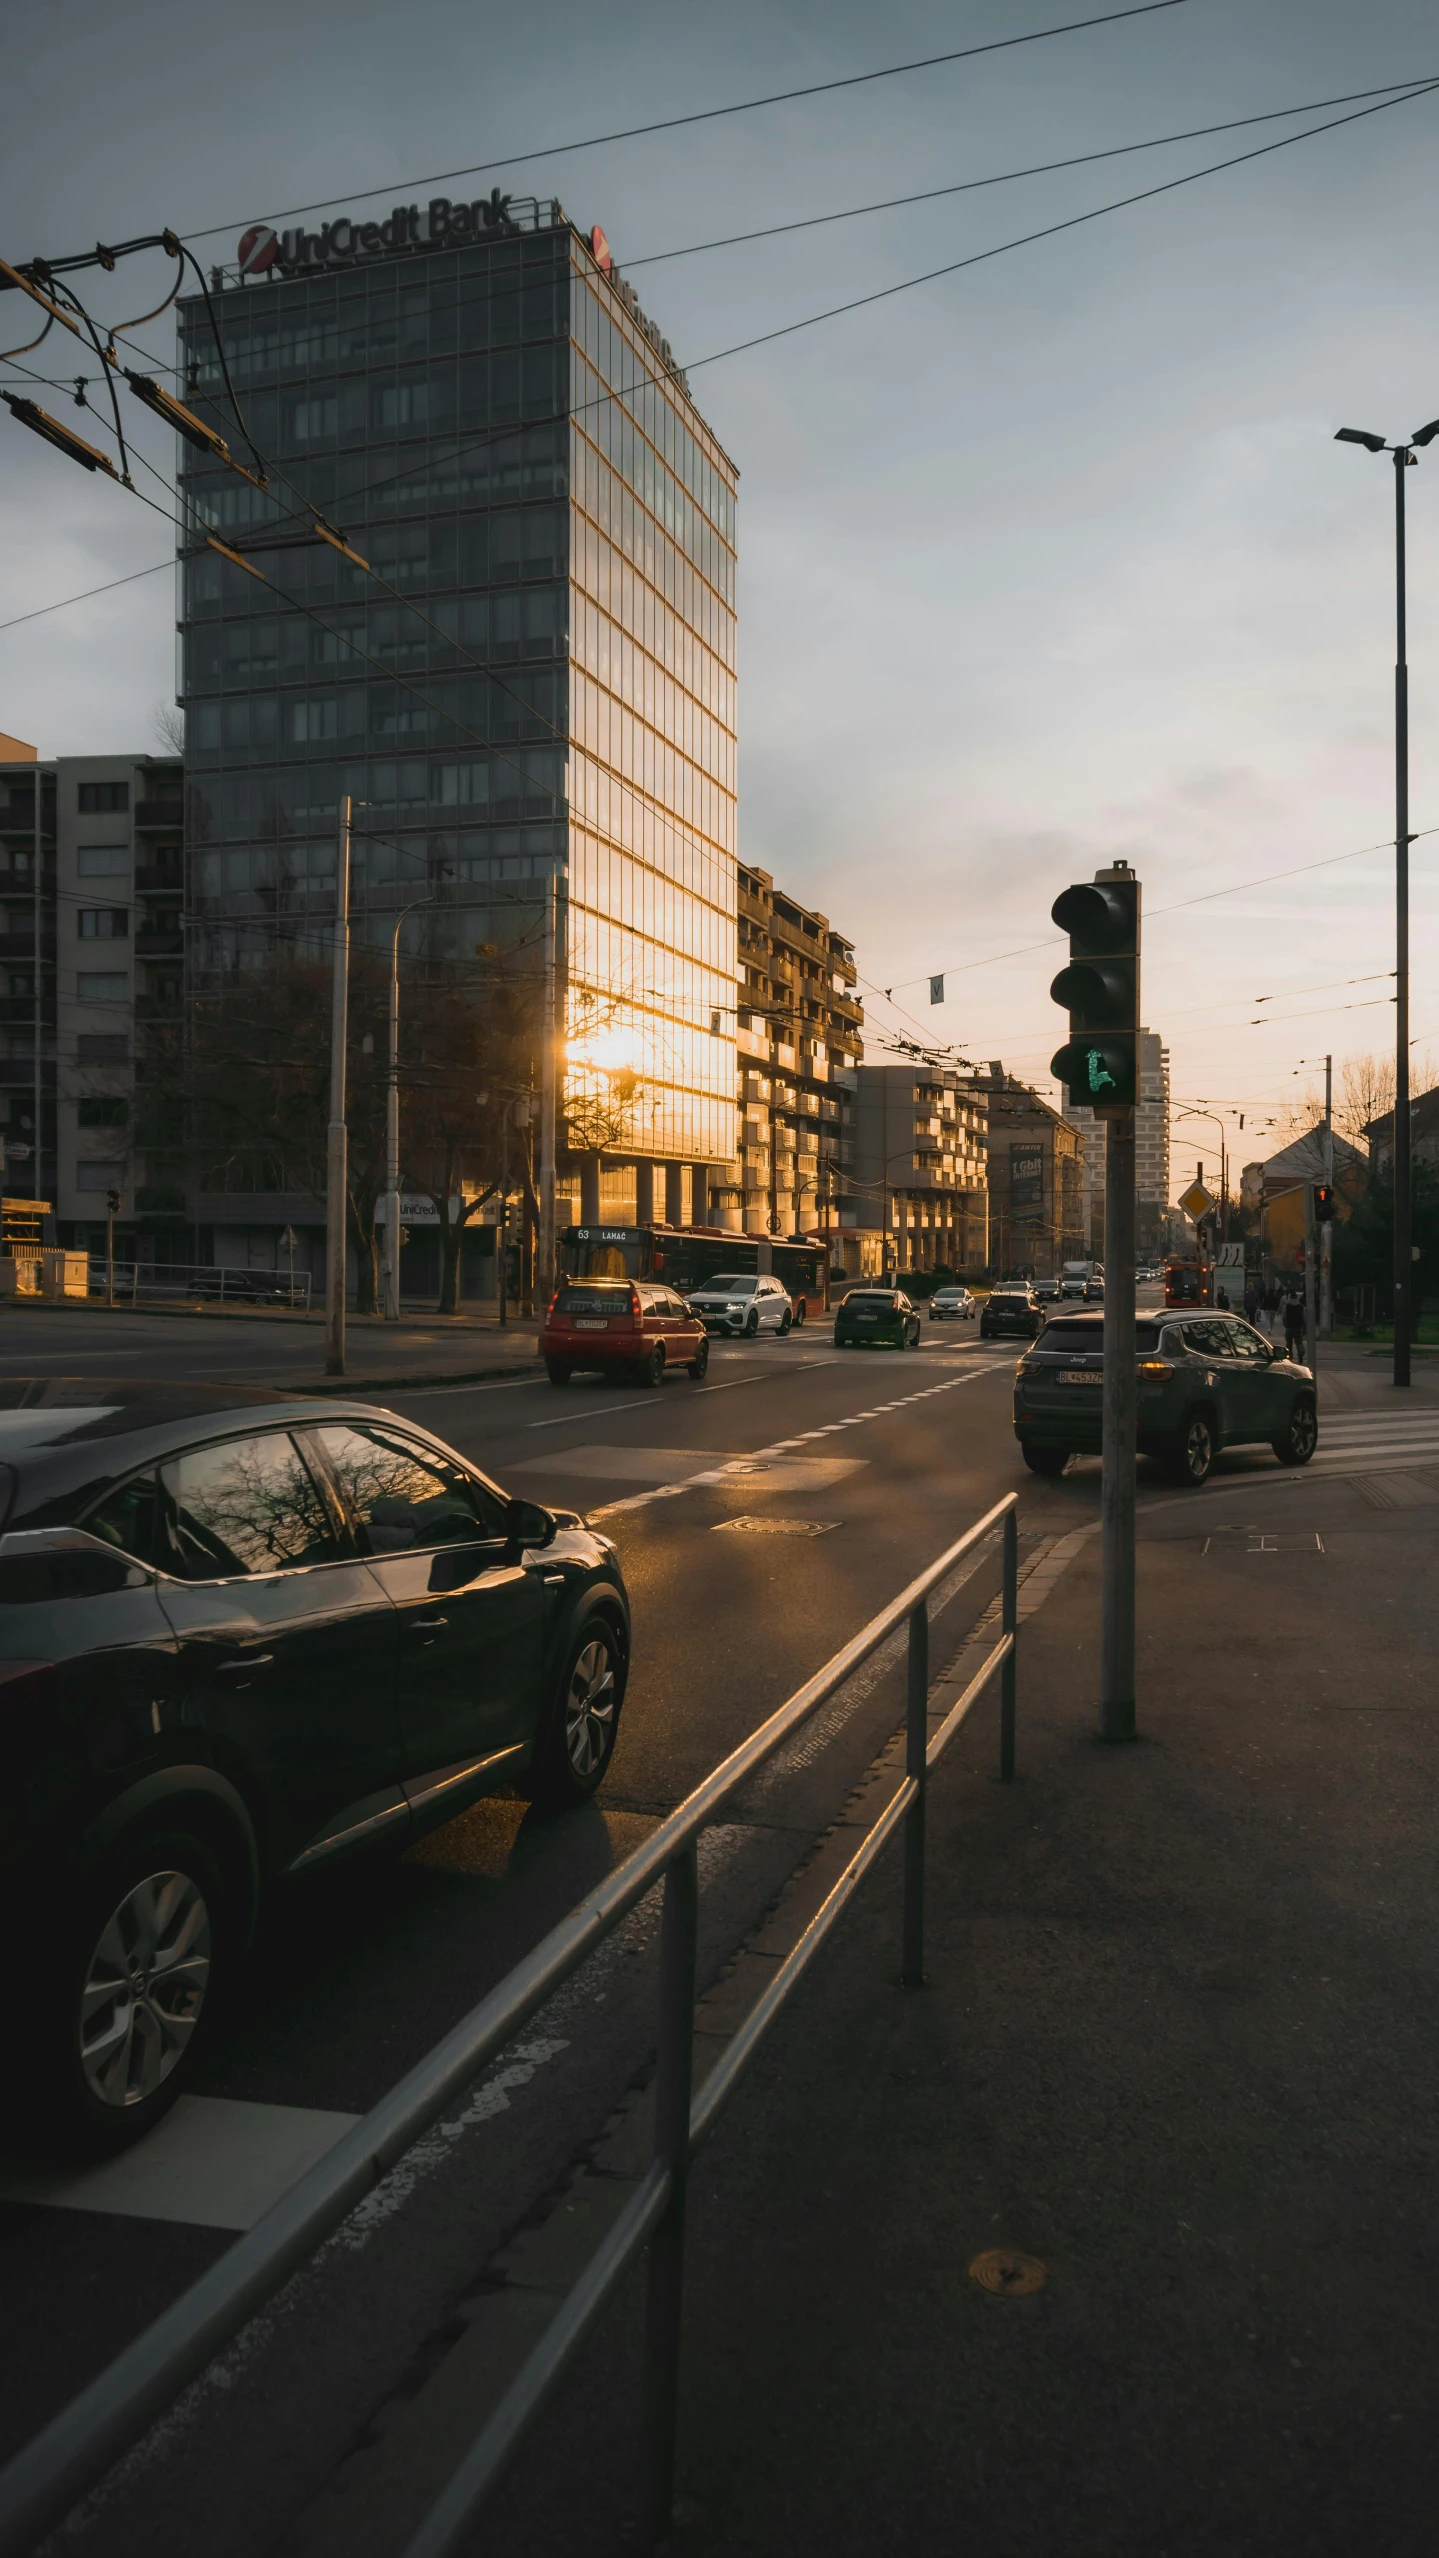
{"x":129,"y":1994}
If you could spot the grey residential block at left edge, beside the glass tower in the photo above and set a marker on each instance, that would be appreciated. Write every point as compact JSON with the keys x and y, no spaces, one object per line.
{"x":91,"y":881}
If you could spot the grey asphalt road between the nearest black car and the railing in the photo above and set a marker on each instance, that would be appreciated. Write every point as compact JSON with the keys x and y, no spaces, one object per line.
{"x":850,"y":1472}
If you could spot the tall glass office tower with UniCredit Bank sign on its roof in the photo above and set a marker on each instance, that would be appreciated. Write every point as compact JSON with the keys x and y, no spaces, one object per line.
{"x":474,"y":398}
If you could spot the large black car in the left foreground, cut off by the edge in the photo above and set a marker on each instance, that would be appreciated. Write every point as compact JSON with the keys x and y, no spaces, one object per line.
{"x":244,"y":1636}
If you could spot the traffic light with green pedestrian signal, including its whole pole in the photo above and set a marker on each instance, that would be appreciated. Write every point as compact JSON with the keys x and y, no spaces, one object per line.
{"x":1100,"y":1065}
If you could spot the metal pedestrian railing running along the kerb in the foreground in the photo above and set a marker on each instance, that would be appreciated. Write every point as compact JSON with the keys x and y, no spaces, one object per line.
{"x":81,"y":2444}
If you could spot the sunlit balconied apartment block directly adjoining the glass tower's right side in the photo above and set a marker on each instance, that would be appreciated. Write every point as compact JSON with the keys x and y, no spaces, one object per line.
{"x":799,"y":1048}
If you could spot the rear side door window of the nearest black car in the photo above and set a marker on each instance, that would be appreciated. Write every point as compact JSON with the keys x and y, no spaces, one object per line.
{"x":244,"y":1508}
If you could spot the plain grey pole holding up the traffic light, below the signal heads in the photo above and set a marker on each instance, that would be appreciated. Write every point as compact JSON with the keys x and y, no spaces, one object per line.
{"x":1118,"y":1464}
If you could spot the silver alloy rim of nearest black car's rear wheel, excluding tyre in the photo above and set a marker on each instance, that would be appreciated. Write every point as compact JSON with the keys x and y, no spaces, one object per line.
{"x":144,"y":1989}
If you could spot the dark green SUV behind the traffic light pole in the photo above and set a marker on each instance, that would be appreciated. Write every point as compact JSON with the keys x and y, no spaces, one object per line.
{"x":1205,"y":1383}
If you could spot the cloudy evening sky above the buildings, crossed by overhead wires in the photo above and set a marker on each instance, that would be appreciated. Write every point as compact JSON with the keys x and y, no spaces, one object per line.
{"x":1042,"y":564}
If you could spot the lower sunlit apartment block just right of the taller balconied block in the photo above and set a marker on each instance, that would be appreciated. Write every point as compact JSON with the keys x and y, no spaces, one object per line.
{"x":921,"y":1140}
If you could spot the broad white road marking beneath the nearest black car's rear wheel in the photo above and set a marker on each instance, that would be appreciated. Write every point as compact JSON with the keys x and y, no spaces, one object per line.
{"x":213,"y":2163}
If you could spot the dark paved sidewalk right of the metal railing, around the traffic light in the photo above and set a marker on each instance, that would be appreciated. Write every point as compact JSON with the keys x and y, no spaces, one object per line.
{"x":1180,"y":2045}
